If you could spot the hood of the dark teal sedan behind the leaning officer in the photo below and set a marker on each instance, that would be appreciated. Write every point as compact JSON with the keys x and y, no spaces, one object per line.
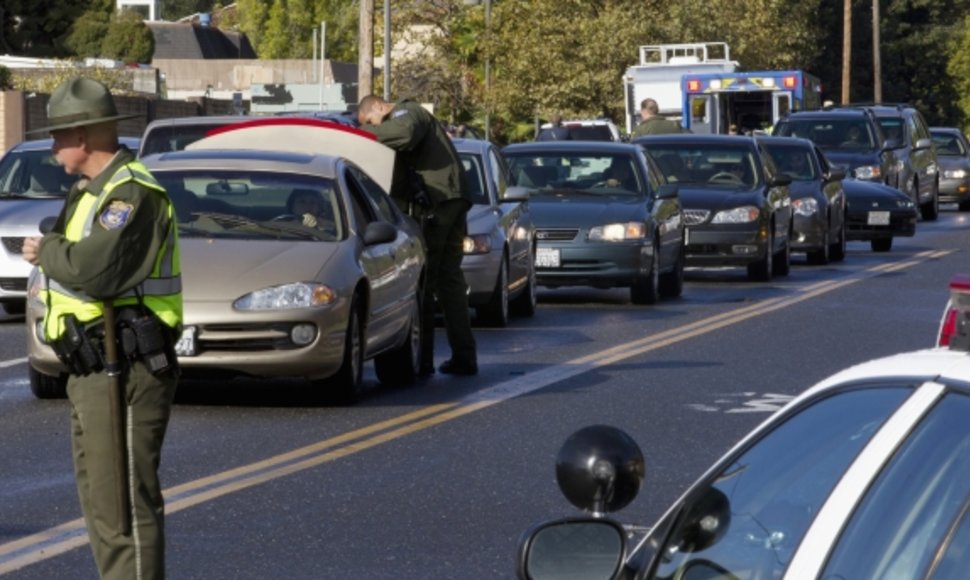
{"x":564,"y":209}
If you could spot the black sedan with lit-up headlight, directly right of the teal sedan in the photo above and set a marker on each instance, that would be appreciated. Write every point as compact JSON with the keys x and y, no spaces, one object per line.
{"x":736,"y":203}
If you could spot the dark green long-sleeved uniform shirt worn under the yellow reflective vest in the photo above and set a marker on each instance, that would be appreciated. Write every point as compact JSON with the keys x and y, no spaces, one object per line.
{"x":108,"y":262}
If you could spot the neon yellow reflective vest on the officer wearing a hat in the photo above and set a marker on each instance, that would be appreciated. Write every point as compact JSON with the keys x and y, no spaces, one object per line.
{"x":161,"y":291}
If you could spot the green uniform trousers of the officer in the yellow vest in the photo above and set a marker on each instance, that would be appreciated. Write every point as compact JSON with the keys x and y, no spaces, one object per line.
{"x":140,"y":555}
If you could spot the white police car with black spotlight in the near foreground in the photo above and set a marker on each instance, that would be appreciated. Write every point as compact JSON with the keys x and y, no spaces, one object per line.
{"x":865,"y":475}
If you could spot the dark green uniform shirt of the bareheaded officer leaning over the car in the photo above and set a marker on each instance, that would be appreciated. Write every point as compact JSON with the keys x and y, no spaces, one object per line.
{"x":421,"y":143}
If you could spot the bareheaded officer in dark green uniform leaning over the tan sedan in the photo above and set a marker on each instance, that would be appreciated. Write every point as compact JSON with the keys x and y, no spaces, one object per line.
{"x":424,"y":147}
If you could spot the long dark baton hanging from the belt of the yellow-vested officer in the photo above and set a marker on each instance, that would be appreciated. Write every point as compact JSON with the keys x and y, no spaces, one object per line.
{"x":116,"y":397}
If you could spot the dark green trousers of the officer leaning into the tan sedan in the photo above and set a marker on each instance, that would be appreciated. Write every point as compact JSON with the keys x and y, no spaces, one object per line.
{"x":444,"y":237}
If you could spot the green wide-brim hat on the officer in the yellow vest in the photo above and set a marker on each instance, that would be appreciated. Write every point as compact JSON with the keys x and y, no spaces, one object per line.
{"x":78,"y":102}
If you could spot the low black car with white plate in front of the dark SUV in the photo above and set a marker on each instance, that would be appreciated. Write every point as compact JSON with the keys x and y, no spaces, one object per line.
{"x":877,"y":213}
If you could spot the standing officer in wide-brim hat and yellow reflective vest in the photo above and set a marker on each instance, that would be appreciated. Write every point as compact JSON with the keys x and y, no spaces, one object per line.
{"x":113,"y":250}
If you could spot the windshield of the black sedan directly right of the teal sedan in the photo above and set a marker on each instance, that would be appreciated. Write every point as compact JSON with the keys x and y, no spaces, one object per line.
{"x":720,"y":166}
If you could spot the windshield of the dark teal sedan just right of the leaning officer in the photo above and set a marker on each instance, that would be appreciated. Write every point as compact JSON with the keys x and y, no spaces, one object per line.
{"x":606,"y":174}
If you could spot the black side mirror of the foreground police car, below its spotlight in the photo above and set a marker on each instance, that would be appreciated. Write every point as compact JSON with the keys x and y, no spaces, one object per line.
{"x":588,"y":548}
